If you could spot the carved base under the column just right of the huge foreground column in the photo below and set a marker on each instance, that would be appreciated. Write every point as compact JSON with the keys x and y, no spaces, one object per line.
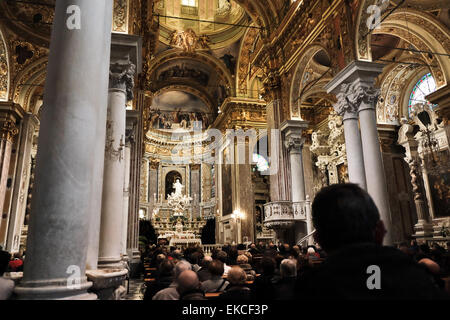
{"x":108,"y":284}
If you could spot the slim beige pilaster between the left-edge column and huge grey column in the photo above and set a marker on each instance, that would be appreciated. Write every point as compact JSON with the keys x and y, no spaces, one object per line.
{"x":21,"y":182}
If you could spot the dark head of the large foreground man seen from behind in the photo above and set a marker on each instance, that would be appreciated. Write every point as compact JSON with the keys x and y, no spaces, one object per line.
{"x":345,"y":214}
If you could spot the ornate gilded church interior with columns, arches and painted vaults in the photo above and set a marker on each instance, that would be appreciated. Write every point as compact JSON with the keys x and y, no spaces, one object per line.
{"x":139,"y":133}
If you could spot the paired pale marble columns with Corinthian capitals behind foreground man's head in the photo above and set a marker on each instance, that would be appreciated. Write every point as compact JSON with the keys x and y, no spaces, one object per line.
{"x":354,"y":86}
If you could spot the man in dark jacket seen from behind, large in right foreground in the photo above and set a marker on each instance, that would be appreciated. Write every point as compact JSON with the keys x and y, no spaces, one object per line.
{"x":349,"y":229}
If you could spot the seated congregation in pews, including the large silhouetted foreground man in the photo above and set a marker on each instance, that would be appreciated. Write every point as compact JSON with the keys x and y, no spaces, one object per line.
{"x":348,"y":239}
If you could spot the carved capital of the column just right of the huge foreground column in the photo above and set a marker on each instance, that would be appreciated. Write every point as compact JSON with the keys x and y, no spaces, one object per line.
{"x":121,"y":76}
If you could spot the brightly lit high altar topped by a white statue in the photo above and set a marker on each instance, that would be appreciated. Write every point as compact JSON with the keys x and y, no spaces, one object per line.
{"x":177,"y":228}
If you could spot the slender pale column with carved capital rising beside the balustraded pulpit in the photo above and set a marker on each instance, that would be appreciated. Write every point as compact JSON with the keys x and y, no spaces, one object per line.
{"x":294,"y":142}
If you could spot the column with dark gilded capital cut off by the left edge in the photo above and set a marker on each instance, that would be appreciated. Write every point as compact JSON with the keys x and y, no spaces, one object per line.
{"x":10,"y":116}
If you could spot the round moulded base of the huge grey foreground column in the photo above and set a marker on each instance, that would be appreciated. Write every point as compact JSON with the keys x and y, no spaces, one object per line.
{"x":54,"y":290}
